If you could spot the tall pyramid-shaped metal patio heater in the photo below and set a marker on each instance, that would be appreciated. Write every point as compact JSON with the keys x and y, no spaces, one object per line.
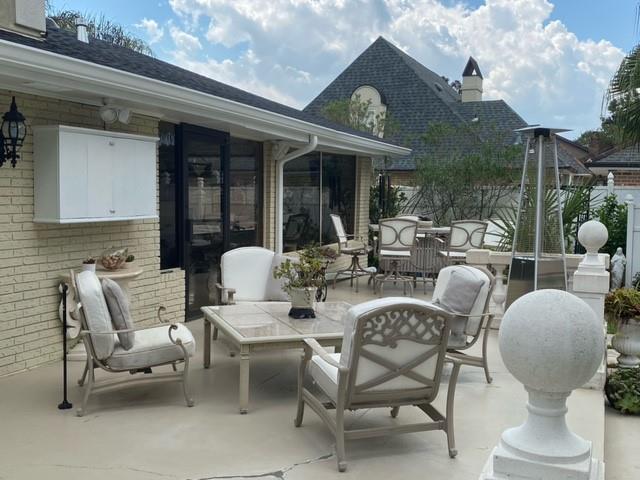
{"x":538,"y":256}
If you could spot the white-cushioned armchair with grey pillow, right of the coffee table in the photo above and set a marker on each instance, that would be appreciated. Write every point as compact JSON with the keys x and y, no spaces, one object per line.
{"x":465,"y":291}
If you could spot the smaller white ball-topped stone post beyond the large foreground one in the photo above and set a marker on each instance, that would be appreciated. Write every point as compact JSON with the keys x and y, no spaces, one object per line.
{"x":591,"y":283}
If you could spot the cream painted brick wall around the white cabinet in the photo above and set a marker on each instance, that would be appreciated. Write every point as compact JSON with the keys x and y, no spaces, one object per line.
{"x":32,"y":256}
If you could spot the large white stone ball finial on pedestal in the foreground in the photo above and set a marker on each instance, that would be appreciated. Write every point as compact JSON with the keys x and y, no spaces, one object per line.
{"x":552,"y":342}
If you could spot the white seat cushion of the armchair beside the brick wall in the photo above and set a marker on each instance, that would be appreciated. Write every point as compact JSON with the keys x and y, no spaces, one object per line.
{"x":152,"y":347}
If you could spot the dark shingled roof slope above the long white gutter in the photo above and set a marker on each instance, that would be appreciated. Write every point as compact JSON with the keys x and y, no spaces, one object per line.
{"x":65,"y":43}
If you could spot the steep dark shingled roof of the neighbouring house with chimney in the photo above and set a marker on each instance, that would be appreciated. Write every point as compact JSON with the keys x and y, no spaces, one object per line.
{"x":416,"y":97}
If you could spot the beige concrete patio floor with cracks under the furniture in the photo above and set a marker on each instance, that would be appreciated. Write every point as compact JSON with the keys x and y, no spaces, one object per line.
{"x":147,"y":432}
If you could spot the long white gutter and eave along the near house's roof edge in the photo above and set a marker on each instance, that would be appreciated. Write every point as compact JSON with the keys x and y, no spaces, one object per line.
{"x":21,"y":61}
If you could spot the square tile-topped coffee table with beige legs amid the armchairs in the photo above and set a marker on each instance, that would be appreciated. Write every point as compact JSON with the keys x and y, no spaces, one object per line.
{"x":266,"y":326}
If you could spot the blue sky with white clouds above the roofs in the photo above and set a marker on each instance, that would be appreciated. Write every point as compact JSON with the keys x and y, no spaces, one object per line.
{"x":550,"y":60}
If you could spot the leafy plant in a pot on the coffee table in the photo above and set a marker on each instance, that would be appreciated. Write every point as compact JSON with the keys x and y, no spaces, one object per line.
{"x":303,"y":278}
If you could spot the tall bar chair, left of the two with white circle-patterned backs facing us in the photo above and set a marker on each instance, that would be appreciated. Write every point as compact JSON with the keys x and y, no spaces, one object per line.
{"x":396,"y":245}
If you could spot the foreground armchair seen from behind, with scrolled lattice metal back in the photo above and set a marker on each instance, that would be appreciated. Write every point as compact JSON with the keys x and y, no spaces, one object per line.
{"x":392,"y":355}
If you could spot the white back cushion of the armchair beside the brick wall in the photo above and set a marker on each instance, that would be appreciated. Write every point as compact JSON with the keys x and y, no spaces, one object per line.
{"x":96,"y":313}
